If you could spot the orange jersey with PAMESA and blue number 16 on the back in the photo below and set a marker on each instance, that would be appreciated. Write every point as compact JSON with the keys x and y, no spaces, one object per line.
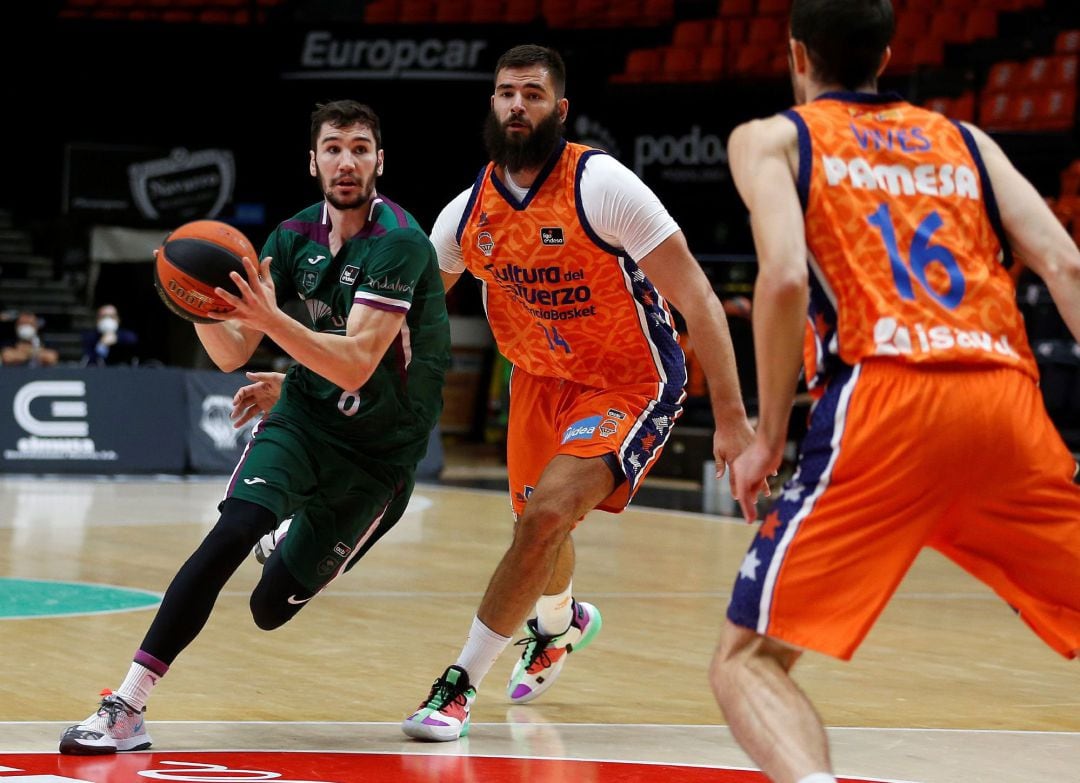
{"x":908,"y":253}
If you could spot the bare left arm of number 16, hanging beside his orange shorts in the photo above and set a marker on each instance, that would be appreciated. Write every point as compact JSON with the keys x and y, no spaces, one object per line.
{"x":763,"y":156}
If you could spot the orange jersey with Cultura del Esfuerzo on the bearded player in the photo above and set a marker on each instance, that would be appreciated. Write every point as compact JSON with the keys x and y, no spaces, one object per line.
{"x":561,"y":302}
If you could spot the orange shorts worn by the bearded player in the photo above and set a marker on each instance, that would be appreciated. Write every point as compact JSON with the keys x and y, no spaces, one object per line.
{"x":549,"y":416}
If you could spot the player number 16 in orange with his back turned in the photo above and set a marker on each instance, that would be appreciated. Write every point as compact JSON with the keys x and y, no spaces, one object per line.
{"x":884,"y":234}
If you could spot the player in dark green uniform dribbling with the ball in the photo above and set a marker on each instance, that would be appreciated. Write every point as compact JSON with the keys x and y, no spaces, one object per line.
{"x":340,"y":450}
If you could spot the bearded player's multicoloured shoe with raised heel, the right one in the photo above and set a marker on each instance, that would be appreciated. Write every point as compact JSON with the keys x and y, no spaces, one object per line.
{"x":545,"y":657}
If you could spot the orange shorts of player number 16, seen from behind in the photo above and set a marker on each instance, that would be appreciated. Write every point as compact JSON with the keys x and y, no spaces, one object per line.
{"x":965,"y":461}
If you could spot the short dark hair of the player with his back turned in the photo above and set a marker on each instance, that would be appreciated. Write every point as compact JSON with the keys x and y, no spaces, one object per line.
{"x":846,"y":39}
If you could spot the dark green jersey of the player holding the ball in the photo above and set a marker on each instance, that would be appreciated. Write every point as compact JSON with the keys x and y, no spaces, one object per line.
{"x":391,"y":266}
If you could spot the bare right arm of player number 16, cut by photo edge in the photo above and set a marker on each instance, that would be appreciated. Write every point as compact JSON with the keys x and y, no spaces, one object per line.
{"x":1035,"y":234}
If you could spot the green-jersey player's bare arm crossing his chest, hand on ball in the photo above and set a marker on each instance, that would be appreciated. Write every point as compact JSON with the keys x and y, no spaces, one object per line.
{"x":347,"y":360}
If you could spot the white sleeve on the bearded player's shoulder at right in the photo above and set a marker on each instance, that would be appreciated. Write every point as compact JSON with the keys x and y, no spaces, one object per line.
{"x":622,"y":209}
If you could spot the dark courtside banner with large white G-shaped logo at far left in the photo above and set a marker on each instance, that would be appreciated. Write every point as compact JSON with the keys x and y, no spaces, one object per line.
{"x":92,"y":421}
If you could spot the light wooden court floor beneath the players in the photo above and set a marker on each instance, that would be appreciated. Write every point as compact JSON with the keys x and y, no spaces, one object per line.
{"x":950,"y":685}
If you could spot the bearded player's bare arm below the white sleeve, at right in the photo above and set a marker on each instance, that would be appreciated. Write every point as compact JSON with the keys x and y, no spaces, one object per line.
{"x":680,"y":278}
